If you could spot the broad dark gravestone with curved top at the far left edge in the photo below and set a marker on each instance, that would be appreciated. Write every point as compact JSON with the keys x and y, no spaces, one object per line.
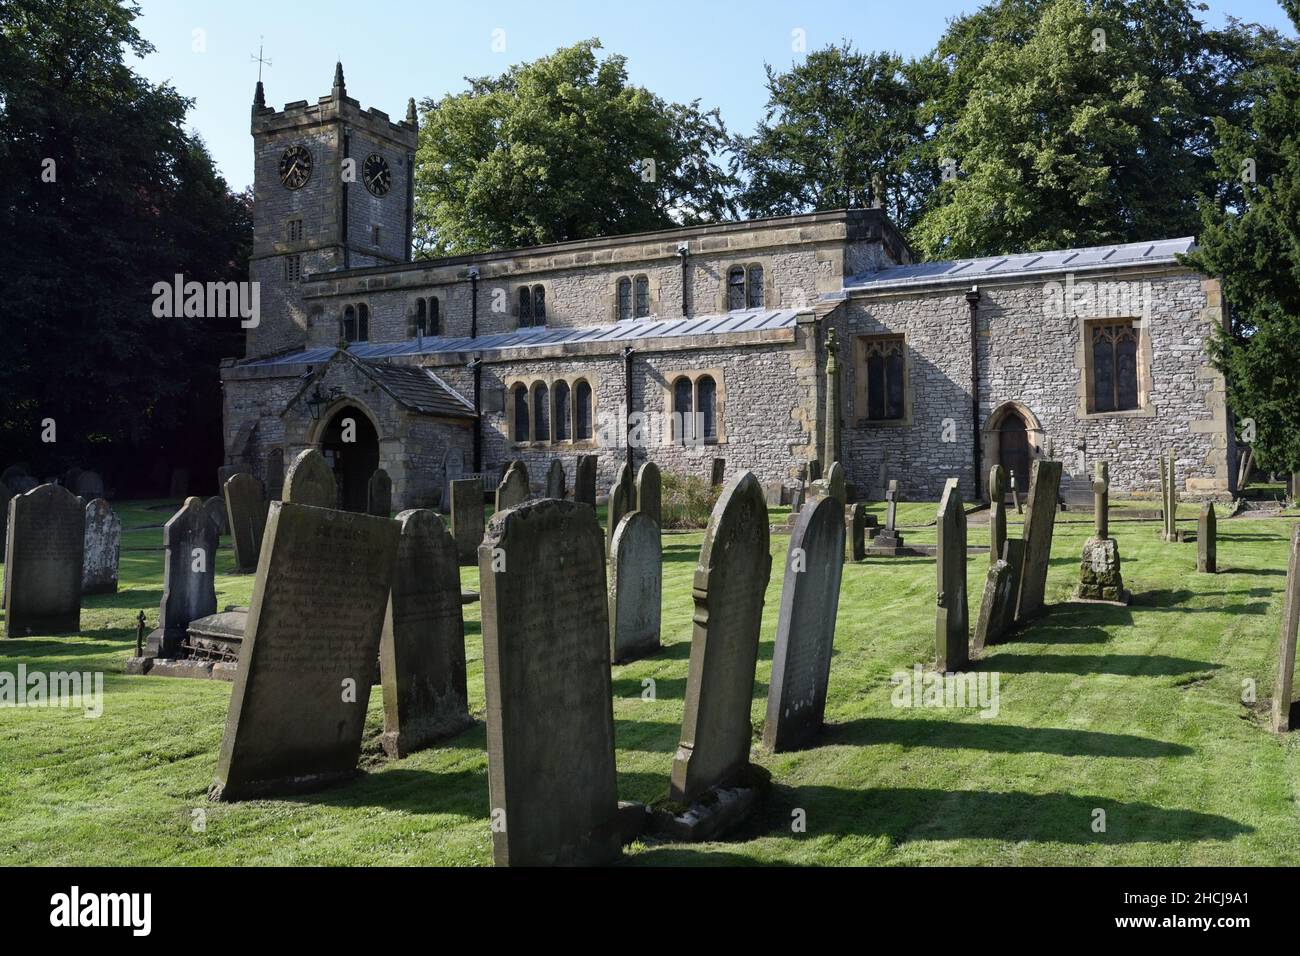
{"x":44,"y":563}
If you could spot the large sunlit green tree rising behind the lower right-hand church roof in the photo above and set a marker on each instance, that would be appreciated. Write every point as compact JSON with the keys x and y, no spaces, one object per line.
{"x":1072,"y":123}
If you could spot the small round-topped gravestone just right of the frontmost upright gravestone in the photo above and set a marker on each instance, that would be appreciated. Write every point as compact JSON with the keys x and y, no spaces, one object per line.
{"x":636,"y":581}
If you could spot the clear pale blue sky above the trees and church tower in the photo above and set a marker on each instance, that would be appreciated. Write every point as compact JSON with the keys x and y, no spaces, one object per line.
{"x":392,"y":50}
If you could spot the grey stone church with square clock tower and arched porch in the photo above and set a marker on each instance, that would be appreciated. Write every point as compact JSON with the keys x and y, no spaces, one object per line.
{"x":712,"y":341}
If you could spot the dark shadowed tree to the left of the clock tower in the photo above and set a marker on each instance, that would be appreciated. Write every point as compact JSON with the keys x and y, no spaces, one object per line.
{"x":102,"y":196}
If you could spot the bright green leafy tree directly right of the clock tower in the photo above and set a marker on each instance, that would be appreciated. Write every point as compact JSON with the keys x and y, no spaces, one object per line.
{"x":562,"y":149}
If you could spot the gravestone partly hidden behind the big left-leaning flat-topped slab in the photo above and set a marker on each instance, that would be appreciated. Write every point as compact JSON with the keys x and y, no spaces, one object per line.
{"x":423,"y":651}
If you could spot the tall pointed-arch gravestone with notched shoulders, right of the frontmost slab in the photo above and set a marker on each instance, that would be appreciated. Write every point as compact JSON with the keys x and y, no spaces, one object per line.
{"x":730,"y":587}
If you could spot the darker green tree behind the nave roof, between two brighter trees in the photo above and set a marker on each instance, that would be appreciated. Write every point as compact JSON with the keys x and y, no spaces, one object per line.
{"x":840,"y":131}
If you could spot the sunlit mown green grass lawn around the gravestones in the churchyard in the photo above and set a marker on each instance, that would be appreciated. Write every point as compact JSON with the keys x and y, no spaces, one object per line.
{"x":1137,"y":712}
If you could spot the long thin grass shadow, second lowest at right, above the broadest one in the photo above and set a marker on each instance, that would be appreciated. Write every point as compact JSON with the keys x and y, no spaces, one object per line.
{"x":998,"y":738}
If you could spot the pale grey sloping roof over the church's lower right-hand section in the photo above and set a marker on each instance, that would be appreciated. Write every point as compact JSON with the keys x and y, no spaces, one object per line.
{"x":973,"y":271}
